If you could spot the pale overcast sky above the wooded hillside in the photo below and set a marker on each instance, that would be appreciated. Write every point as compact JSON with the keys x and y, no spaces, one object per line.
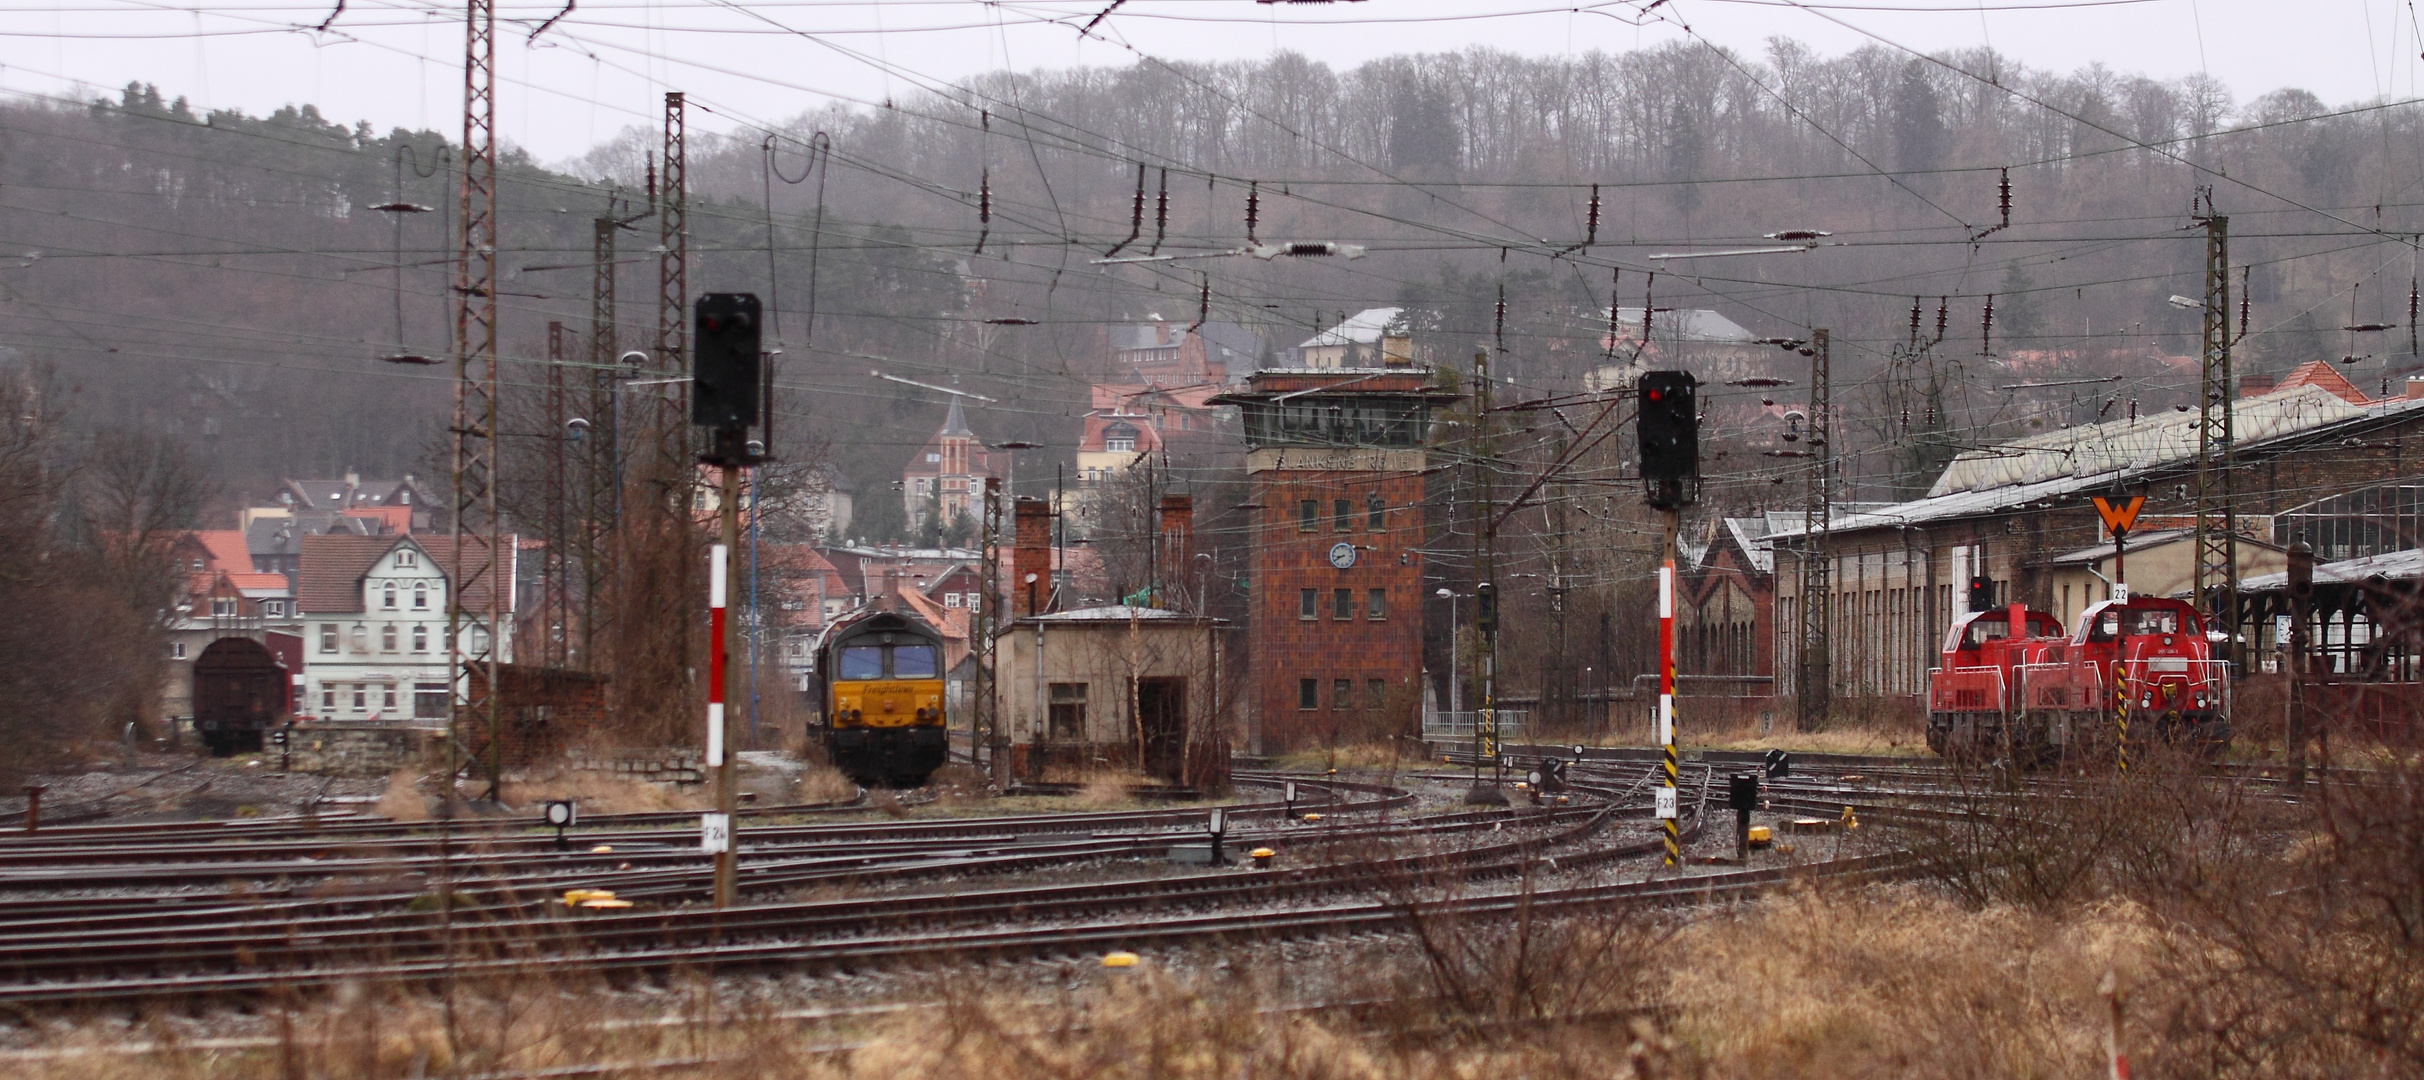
{"x":607,"y":64}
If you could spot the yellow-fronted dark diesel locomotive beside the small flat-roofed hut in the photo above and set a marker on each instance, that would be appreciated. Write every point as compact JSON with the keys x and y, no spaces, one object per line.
{"x":881,"y":677}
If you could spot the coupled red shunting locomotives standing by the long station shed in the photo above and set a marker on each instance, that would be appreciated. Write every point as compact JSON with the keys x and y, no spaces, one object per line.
{"x":2134,"y":670}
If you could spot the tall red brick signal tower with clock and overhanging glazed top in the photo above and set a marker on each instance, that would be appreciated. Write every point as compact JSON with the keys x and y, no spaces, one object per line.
{"x":1337,"y":611}
